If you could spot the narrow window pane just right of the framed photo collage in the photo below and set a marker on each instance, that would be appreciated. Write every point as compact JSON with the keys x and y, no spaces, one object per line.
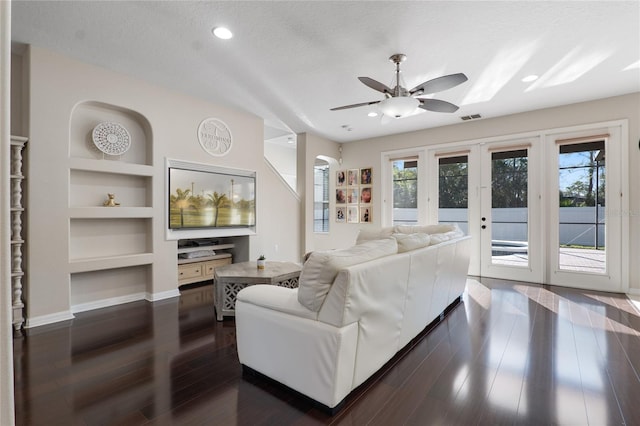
{"x":405,"y":191}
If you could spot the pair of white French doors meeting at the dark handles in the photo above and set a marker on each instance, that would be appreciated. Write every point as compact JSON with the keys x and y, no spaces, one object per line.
{"x":491,"y":191}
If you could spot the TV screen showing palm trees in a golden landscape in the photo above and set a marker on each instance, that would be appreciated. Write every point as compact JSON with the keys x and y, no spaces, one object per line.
{"x":202,"y":199}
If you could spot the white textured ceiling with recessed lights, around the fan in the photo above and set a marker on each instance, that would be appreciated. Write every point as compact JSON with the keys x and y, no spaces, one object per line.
{"x":290,"y":62}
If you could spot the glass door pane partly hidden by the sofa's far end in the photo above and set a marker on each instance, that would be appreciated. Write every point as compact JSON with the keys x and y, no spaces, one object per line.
{"x":453,"y":191}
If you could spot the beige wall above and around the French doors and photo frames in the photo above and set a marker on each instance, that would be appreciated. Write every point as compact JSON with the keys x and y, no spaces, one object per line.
{"x":368,"y":153}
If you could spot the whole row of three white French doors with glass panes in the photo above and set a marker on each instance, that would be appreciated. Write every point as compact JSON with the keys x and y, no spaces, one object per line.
{"x":540,"y":209}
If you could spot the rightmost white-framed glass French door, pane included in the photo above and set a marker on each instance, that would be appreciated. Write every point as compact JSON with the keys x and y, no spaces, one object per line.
{"x":586,"y":220}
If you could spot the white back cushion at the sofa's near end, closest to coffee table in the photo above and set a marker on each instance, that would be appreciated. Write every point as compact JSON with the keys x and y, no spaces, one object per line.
{"x":321,"y":268}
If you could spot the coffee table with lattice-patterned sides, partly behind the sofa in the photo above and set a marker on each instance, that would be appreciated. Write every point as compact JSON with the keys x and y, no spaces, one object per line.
{"x":230,"y":279}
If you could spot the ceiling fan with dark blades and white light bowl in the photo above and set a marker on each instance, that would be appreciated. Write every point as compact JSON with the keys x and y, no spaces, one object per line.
{"x":400,"y":102}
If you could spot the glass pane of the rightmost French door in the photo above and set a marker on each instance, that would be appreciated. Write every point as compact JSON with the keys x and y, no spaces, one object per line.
{"x":582,"y":210}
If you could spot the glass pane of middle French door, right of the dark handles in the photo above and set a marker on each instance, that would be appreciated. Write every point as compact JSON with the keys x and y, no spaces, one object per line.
{"x":509,"y":208}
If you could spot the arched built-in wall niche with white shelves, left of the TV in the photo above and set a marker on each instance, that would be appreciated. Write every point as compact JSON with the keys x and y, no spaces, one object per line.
{"x":110,"y":248}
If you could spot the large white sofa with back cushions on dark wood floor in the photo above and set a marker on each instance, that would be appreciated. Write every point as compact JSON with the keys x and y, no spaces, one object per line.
{"x":354,"y":309}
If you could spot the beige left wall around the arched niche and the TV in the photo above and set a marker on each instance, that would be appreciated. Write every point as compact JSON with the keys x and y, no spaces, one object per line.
{"x":56,"y":84}
